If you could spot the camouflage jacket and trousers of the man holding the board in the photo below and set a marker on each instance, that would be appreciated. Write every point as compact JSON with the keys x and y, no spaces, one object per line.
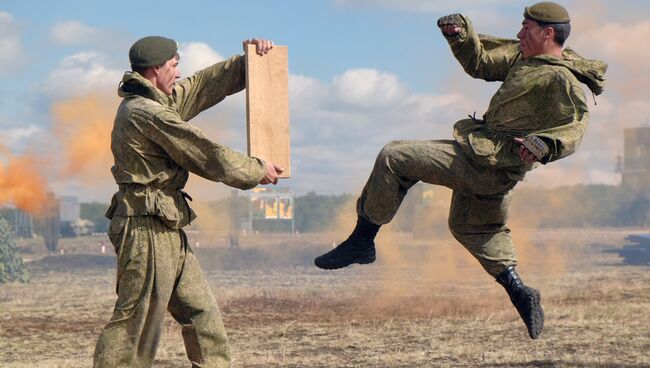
{"x":154,"y":148}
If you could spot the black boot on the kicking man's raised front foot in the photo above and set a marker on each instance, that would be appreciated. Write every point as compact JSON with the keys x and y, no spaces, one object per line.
{"x":358,"y":248}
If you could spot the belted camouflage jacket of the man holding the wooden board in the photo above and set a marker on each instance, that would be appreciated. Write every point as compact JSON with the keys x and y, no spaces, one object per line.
{"x":154,"y":147}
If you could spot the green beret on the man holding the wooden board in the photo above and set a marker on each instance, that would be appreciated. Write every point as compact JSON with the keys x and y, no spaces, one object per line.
{"x":152,"y":51}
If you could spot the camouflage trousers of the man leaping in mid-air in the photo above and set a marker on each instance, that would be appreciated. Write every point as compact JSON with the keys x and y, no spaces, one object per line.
{"x":479,"y":204}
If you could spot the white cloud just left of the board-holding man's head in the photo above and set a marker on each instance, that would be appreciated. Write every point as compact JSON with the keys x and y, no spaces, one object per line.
{"x":81,"y":73}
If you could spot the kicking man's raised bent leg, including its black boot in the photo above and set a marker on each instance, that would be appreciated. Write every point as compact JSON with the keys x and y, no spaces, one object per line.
{"x":399,"y":165}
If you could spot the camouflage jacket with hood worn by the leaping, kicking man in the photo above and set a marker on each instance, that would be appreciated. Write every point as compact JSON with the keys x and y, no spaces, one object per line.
{"x":540,"y":96}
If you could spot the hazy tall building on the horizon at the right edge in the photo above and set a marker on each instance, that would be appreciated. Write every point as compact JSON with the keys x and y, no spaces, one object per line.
{"x":635,"y":164}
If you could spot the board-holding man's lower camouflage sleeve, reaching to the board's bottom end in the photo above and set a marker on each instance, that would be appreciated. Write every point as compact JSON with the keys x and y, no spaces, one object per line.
{"x":188,"y":146}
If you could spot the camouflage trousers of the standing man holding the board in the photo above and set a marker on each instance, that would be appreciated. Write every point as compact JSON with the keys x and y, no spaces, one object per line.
{"x":157,"y":272}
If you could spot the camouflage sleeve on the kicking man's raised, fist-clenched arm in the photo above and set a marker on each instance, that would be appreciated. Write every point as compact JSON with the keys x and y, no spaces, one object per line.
{"x":481,"y":56}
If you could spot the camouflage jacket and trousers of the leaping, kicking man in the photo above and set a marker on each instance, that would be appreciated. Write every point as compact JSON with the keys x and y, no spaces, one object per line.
{"x":540,"y":96}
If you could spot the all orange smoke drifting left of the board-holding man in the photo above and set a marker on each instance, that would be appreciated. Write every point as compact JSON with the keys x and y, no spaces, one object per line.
{"x":82,"y":126}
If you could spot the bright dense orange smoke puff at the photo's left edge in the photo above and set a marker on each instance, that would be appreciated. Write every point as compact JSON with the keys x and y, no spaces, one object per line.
{"x":21,"y":182}
